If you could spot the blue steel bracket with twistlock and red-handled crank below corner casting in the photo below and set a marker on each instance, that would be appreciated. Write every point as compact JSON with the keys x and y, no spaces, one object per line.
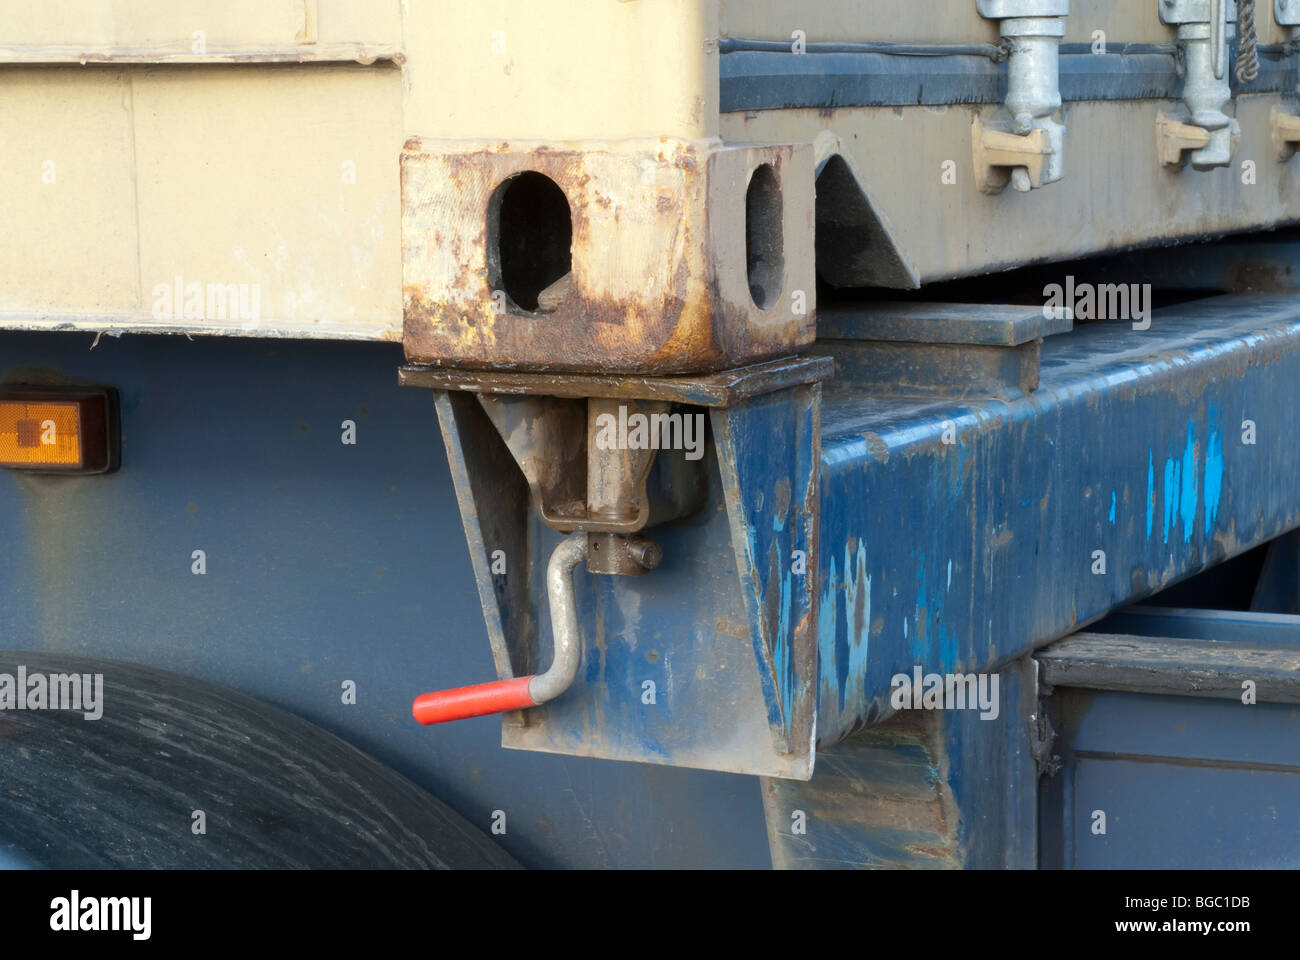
{"x":710,"y":482}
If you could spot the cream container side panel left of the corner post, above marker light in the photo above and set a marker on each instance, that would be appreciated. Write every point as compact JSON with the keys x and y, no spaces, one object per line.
{"x":279,"y":179}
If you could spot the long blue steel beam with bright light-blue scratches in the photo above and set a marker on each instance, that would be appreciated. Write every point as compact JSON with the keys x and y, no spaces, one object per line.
{"x":960,"y":537}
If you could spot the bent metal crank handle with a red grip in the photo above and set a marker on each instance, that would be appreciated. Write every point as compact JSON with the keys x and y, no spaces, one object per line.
{"x":522,"y":693}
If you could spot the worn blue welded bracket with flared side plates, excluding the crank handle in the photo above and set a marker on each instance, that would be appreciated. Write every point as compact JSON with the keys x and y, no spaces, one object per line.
{"x":710,"y":661}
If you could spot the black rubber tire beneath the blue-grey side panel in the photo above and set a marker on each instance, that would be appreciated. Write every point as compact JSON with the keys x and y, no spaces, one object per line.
{"x":276,"y":792}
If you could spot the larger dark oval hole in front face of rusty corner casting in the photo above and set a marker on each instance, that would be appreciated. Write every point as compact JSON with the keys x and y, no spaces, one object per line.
{"x":530,"y":239}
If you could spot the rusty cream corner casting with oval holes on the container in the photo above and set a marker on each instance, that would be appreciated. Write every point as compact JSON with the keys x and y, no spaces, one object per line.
{"x":658,"y":265}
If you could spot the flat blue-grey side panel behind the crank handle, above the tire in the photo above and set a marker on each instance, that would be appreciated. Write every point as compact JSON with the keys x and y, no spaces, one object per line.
{"x":326,"y":563}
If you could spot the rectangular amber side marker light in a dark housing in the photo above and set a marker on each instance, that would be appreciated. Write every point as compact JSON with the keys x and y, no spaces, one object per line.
{"x":59,"y":430}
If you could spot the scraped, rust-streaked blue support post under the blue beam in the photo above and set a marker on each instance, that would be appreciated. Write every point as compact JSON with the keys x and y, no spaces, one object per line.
{"x":926,"y":790}
